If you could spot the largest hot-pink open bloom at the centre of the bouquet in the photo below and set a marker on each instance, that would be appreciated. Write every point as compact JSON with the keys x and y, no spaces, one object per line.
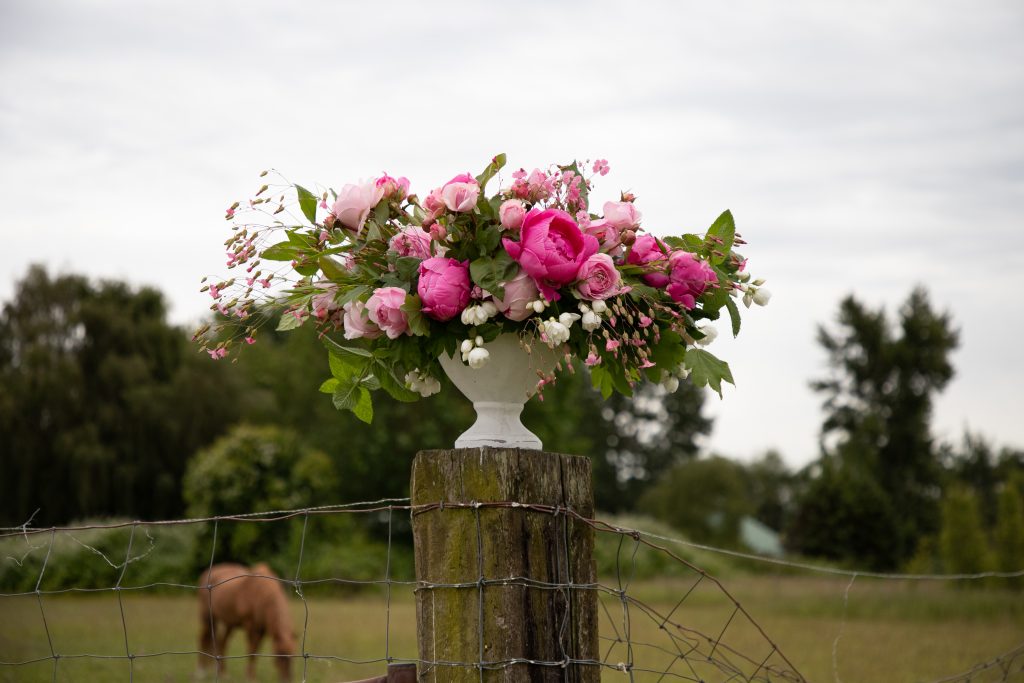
{"x":551,"y":249}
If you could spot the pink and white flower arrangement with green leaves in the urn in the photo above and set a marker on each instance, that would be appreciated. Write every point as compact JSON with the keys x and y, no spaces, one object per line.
{"x":393,"y":282}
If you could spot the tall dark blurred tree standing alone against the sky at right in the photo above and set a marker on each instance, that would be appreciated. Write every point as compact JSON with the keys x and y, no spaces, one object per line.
{"x":879,"y":406}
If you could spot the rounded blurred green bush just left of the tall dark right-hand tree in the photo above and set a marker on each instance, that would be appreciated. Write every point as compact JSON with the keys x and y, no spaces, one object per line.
{"x":706,"y":499}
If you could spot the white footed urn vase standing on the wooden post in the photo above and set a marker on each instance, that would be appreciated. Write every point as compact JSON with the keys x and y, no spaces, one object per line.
{"x":499,"y":392}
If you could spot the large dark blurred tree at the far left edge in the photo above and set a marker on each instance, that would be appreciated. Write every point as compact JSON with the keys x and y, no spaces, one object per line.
{"x":103,"y":402}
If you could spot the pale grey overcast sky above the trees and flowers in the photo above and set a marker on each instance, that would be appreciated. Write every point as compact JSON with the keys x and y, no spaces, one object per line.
{"x":864,"y":148}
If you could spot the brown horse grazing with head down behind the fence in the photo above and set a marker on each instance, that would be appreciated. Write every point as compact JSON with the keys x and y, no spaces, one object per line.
{"x":234,"y":596}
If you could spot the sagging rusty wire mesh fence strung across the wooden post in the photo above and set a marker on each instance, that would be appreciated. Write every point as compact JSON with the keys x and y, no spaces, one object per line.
{"x":680,"y":652}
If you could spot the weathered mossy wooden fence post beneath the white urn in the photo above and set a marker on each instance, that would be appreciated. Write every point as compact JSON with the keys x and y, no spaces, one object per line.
{"x":501,"y":587}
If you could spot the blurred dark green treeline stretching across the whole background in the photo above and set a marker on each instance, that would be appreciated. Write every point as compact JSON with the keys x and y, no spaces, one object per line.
{"x":108,"y":410}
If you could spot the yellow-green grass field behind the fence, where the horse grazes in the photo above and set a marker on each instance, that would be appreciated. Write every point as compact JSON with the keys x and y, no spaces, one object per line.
{"x":892,"y":631}
